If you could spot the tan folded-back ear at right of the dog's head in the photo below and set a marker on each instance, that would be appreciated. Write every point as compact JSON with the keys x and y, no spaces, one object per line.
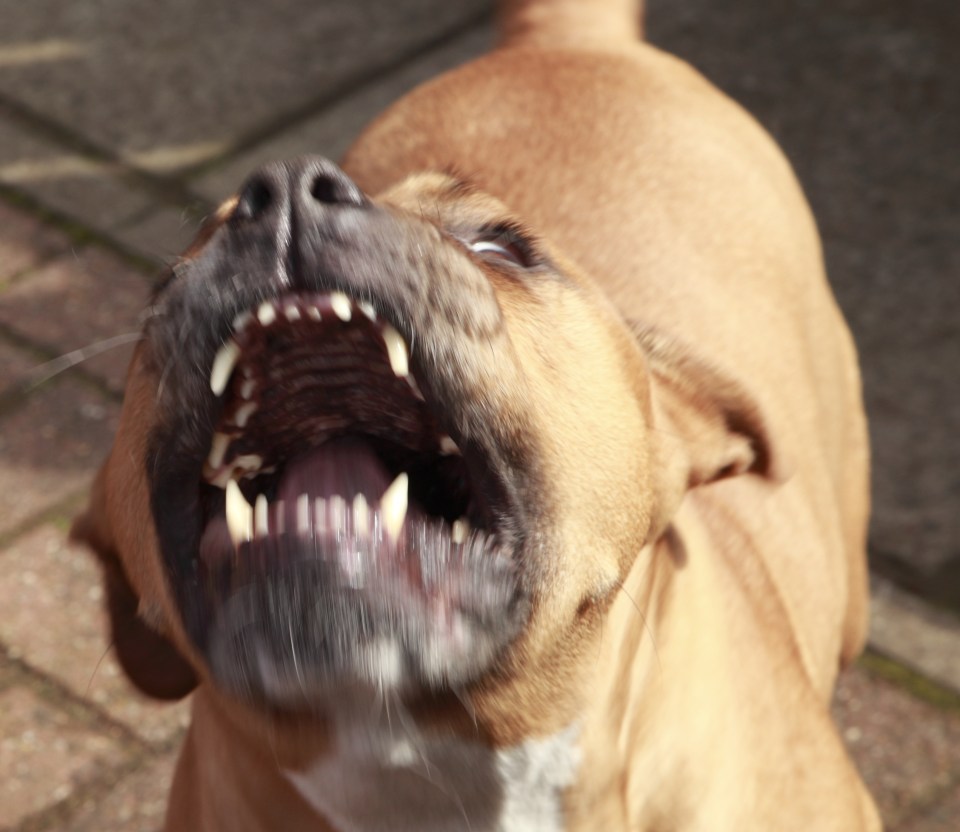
{"x":707,"y":427}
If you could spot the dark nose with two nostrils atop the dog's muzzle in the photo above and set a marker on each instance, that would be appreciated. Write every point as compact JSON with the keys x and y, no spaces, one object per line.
{"x":304,"y":187}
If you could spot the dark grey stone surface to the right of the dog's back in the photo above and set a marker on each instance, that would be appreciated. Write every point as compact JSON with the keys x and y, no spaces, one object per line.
{"x":863,"y":95}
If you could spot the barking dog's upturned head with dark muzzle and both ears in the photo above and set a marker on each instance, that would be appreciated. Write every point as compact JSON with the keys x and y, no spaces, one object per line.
{"x":388,"y":444}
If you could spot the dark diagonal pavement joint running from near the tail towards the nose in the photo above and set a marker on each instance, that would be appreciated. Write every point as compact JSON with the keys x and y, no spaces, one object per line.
{"x":350,"y":86}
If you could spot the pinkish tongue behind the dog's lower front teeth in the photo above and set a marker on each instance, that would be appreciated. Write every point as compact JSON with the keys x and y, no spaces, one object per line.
{"x":342,"y":467}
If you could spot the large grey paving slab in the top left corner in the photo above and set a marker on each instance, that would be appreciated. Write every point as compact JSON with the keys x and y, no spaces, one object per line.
{"x":169,"y":85}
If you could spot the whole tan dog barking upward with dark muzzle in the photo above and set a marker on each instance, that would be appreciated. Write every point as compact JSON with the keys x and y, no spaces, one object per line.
{"x":464,"y":516}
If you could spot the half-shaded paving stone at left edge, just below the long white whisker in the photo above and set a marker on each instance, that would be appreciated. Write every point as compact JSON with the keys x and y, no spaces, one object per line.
{"x":50,"y":448}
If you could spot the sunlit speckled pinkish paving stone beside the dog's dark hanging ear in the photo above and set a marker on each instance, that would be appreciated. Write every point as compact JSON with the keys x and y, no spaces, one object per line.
{"x":54,"y":620}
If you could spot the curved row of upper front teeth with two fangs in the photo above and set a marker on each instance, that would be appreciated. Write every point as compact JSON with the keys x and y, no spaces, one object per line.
{"x":268,"y":312}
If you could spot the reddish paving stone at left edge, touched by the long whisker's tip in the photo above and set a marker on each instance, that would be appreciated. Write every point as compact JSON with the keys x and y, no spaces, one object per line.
{"x":76,"y":301}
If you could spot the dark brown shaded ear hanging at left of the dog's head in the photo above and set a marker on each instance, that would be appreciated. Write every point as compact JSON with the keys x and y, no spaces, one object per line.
{"x":149,"y":659}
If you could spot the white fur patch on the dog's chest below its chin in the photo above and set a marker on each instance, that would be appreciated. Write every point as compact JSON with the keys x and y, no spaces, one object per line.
{"x":399,"y":781}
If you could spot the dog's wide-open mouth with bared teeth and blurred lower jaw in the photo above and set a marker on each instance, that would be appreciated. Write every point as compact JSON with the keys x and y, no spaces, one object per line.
{"x":336,"y":504}
